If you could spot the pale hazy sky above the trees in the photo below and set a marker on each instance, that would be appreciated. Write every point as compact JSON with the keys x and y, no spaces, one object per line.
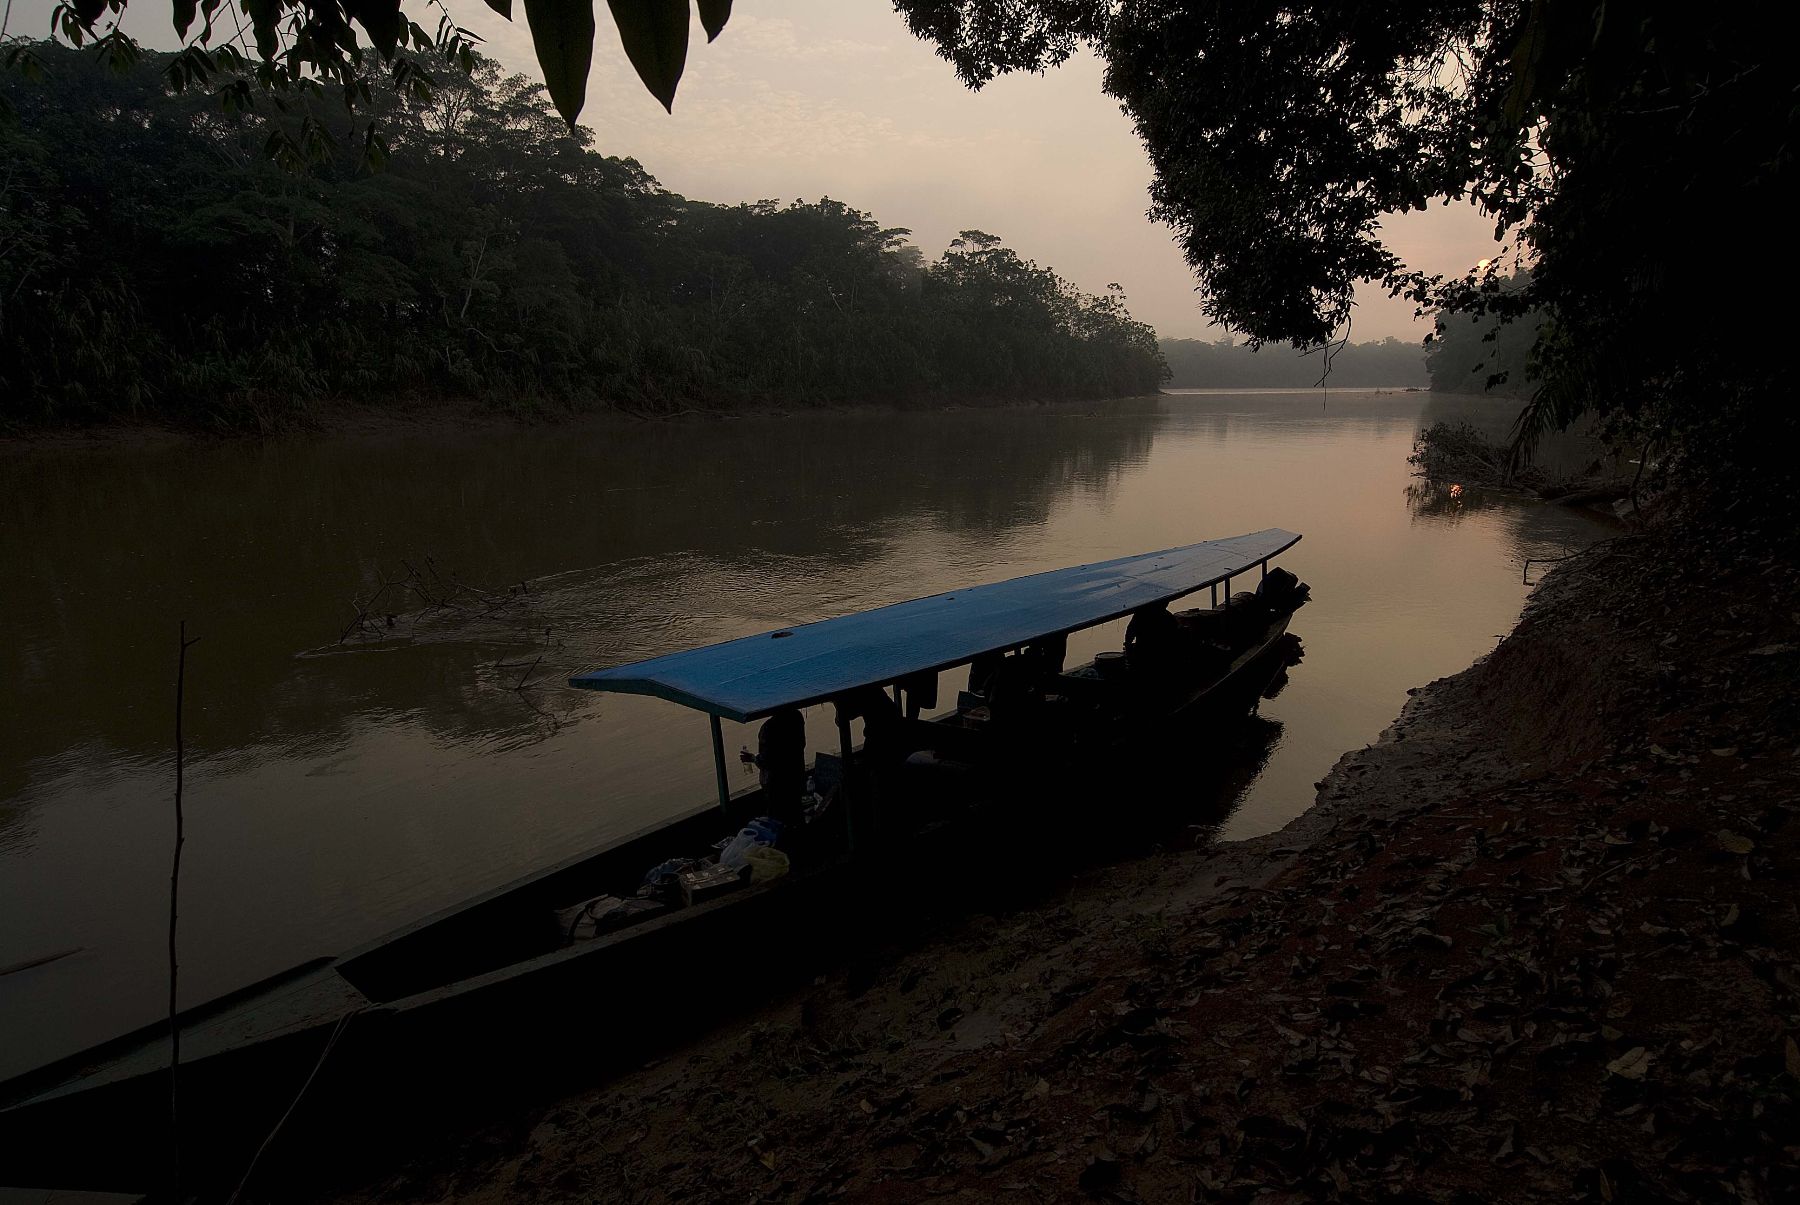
{"x":834,"y":98}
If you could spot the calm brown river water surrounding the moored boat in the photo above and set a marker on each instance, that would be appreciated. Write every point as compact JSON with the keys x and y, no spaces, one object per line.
{"x":350,"y":777}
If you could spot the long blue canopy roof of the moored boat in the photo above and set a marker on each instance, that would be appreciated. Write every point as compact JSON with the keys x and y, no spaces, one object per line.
{"x":753,"y":676}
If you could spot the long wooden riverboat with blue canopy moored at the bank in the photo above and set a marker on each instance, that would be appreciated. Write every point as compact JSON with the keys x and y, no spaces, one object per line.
{"x":530,"y":981}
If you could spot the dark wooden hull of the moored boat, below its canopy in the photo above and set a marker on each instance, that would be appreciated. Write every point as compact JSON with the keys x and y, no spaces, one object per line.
{"x":449,"y":1015}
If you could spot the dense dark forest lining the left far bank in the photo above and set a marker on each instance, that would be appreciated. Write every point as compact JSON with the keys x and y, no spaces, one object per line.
{"x":156,"y":262}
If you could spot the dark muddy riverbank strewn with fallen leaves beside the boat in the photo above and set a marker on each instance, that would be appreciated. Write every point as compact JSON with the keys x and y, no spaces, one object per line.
{"x":1540,"y":936}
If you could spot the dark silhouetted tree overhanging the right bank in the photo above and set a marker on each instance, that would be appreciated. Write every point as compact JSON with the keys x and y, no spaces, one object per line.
{"x":1639,"y":159}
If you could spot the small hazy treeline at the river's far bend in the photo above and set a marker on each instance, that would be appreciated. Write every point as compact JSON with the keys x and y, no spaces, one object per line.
{"x":1200,"y":365}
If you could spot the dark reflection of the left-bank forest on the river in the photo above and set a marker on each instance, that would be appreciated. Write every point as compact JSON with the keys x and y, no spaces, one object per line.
{"x":264,"y":548}
